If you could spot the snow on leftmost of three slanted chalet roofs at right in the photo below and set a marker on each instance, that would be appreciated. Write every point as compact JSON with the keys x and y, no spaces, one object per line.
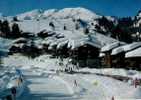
{"x":109,"y":47}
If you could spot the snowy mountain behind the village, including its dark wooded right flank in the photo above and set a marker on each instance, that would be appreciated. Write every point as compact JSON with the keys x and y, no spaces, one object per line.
{"x":81,"y":18}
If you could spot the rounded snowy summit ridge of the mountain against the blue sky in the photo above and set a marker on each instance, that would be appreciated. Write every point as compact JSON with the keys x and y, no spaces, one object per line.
{"x":76,"y":13}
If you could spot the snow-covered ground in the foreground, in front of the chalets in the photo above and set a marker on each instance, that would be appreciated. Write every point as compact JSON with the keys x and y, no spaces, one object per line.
{"x":45,"y":83}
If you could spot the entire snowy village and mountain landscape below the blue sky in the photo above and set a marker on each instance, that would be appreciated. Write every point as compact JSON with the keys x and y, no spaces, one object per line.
{"x":70,"y":54}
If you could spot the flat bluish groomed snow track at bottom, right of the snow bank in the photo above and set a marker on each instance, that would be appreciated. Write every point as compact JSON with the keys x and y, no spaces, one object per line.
{"x":46,"y":88}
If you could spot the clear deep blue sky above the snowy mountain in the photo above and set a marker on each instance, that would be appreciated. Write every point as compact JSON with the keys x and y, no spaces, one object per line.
{"x":120,"y":8}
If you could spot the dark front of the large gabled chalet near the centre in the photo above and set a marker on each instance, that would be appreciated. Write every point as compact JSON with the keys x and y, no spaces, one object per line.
{"x":86,"y":55}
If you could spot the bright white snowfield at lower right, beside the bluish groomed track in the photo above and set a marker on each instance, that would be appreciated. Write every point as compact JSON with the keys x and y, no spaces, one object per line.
{"x":102,"y":88}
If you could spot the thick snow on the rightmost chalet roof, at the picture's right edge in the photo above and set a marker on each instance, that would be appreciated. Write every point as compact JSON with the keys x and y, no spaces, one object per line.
{"x":134,"y":53}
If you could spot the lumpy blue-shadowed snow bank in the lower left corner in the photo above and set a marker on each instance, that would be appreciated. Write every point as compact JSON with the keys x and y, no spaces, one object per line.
{"x":9,"y":79}
